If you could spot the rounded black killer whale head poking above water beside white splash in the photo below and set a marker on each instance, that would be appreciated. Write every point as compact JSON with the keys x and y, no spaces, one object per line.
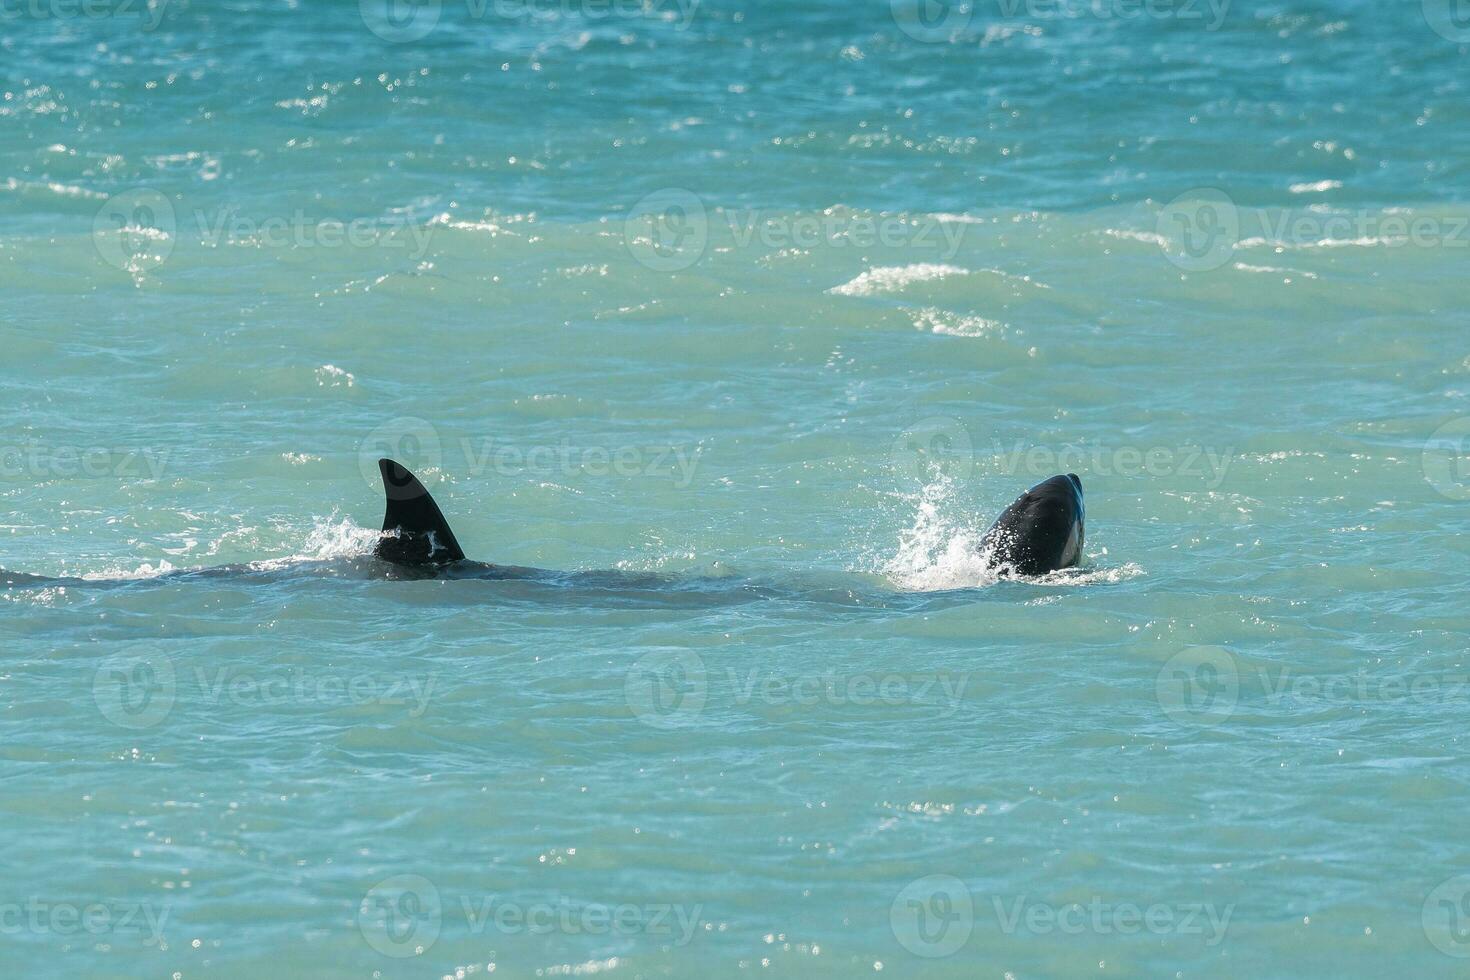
{"x":1041,"y":533}
